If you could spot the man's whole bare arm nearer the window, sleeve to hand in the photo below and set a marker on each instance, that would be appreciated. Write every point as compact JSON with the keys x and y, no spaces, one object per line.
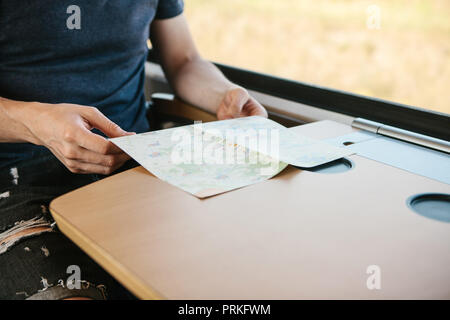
{"x":194,"y":79}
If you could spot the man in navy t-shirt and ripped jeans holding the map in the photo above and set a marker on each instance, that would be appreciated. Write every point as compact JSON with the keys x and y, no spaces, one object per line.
{"x":71,"y":75}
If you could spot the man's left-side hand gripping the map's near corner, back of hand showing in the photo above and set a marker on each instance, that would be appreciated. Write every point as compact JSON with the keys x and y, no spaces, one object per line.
{"x":65,"y":130}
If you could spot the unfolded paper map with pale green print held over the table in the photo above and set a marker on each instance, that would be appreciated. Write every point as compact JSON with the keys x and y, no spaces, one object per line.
{"x":206,"y":159}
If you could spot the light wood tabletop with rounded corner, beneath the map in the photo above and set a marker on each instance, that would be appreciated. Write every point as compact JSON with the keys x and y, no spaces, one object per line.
{"x":299,"y":235}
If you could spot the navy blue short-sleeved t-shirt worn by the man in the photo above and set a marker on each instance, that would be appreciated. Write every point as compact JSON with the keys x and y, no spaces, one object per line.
{"x":87,"y":52}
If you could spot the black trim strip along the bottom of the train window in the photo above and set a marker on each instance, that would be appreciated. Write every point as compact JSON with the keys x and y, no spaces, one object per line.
{"x":431,"y":123}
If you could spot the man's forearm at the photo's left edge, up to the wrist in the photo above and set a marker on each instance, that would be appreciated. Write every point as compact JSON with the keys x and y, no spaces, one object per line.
{"x":12,"y":116}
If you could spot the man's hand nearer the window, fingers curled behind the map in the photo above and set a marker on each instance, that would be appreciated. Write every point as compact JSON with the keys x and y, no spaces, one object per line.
{"x":238,"y":103}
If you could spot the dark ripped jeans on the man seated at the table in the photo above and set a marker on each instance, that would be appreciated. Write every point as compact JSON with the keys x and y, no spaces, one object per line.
{"x":36,"y":260}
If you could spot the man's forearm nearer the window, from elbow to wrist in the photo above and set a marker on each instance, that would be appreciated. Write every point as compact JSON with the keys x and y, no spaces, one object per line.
{"x":200,"y":83}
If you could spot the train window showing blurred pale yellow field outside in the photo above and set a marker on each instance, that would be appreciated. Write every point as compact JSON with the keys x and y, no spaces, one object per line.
{"x":390,"y":49}
